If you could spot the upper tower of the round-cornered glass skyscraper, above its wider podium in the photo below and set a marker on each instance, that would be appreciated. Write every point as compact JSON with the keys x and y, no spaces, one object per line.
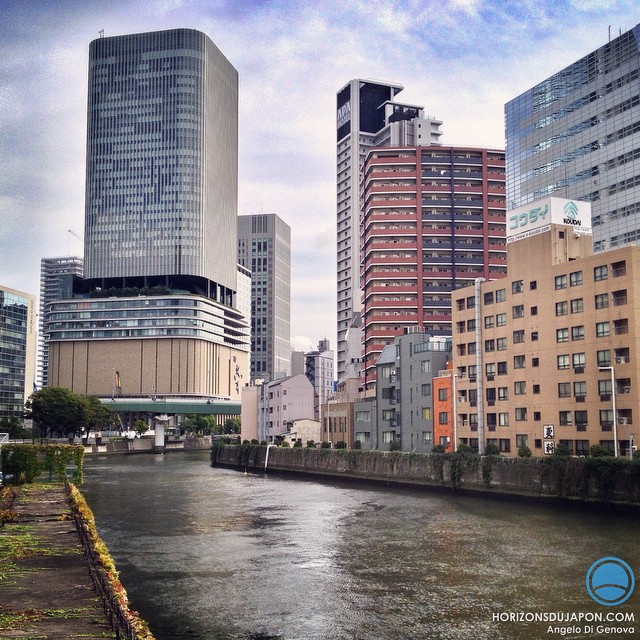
{"x":162,"y":157}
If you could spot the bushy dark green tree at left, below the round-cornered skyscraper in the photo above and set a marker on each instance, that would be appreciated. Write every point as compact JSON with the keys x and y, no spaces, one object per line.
{"x":57,"y":411}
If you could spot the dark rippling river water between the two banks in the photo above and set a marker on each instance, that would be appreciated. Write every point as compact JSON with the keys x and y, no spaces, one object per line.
{"x":213,"y":554}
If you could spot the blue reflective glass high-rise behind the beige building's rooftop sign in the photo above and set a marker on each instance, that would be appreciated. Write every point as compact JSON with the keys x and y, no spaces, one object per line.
{"x":577,"y":135}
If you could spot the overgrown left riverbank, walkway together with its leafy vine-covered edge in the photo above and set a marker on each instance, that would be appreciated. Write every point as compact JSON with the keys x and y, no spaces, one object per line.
{"x":47,"y":579}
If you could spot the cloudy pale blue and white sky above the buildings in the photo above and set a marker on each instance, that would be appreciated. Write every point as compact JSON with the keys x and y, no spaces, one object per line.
{"x":460,"y":59}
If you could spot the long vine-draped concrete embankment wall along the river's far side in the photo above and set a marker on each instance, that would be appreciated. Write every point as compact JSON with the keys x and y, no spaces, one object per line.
{"x":604,"y":480}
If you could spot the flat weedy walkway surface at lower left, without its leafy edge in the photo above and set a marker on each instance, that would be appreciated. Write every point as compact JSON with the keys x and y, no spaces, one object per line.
{"x":45,"y":586}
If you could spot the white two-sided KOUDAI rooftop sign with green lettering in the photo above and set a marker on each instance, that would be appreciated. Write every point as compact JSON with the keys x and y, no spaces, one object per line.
{"x":537,"y":217}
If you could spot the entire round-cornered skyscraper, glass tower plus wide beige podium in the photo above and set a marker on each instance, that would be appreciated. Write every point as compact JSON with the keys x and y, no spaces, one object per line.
{"x":160,"y":311}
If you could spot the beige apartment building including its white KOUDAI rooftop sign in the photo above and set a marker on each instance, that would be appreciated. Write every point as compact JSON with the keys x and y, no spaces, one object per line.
{"x":550,"y":354}
